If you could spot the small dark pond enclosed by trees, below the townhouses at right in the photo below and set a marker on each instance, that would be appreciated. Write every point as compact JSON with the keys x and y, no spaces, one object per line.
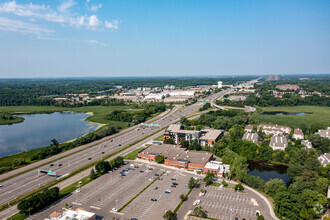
{"x":266,"y":172}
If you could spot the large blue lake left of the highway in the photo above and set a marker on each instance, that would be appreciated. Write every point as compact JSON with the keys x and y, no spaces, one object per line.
{"x":39,"y":129}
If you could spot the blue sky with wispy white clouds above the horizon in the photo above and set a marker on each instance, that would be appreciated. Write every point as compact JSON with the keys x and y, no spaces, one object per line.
{"x":115,"y":38}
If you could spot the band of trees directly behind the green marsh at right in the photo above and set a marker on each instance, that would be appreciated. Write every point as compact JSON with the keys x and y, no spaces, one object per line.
{"x":287,"y":100}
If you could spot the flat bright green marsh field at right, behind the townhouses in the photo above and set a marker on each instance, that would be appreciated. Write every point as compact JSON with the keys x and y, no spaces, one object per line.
{"x":319,"y":115}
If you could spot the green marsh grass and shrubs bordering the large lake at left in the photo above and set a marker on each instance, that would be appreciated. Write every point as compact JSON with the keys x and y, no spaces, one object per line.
{"x":97,"y":115}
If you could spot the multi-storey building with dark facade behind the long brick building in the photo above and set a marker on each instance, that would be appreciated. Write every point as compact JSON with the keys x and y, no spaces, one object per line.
{"x":205,"y":137}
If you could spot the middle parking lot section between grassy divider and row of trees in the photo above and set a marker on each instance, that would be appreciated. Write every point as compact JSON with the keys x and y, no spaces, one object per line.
{"x":143,"y":208}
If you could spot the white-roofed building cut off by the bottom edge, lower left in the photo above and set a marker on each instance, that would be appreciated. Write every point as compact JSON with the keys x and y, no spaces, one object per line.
{"x":72,"y":214}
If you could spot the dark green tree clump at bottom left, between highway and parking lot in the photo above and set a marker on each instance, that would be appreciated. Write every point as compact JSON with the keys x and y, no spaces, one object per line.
{"x":37,"y":202}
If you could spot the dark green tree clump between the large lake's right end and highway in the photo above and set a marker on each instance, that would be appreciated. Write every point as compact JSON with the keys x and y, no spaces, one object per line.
{"x":137,"y":116}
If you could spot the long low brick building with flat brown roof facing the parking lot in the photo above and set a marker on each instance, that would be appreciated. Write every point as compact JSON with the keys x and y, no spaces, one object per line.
{"x":176,"y":156}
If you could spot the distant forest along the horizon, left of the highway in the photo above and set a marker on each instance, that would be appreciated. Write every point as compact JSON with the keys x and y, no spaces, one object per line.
{"x":15,"y":92}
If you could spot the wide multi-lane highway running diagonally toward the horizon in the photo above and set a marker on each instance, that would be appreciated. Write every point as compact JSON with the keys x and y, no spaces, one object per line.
{"x":19,"y":185}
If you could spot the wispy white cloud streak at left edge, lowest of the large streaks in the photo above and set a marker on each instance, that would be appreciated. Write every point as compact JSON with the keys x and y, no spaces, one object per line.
{"x":23,"y":27}
